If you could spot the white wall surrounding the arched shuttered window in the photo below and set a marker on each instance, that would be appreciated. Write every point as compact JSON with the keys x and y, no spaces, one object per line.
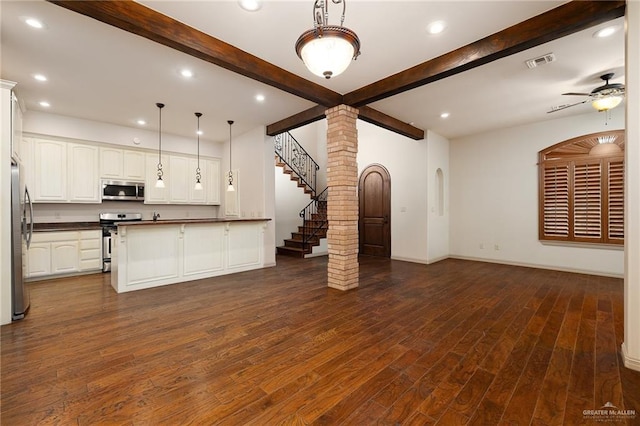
{"x":494,"y":197}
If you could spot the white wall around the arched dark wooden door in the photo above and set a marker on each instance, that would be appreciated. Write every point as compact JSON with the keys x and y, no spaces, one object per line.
{"x":406,"y":161}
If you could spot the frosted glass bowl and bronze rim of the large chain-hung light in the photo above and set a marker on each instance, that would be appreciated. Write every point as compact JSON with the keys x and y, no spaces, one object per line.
{"x":328,"y":53}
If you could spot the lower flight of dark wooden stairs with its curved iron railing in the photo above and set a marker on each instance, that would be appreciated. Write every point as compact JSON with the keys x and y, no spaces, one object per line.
{"x":314,"y":227}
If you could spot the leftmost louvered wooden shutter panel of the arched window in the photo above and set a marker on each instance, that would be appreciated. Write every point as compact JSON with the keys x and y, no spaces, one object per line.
{"x":556,"y":201}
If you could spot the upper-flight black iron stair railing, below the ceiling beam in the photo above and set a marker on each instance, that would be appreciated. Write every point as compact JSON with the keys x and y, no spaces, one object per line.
{"x":297,"y":159}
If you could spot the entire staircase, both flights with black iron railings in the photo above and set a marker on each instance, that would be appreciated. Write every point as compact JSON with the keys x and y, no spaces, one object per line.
{"x":302,"y":169}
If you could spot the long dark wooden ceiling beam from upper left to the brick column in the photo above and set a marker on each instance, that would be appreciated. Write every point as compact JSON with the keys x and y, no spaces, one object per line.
{"x":140,"y":20}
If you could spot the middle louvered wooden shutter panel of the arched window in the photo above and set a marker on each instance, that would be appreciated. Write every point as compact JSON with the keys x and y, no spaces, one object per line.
{"x":587,"y":200}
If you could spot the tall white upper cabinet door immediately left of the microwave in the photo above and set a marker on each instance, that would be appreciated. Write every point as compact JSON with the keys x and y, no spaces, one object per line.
{"x":83,"y":179}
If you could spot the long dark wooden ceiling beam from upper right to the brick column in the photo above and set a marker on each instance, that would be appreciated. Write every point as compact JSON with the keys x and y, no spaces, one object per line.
{"x":564,"y":20}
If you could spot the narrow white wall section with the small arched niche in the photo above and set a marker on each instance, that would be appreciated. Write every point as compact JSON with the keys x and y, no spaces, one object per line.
{"x":438,"y":217}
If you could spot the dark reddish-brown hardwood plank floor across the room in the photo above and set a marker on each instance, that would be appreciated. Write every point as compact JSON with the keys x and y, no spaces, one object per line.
{"x":456,"y":342}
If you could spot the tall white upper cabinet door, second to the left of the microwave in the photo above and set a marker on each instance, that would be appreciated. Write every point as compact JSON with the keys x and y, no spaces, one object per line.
{"x":50,"y":171}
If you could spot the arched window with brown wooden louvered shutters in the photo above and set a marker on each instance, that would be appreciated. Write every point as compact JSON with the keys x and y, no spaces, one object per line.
{"x":581,"y":189}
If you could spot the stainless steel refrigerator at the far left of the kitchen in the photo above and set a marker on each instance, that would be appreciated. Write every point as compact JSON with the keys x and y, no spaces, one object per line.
{"x":21,"y":232}
